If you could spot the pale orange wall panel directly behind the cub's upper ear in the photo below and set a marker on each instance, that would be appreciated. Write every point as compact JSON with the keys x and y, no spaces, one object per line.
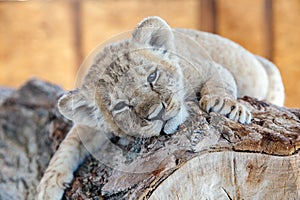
{"x":104,"y":19}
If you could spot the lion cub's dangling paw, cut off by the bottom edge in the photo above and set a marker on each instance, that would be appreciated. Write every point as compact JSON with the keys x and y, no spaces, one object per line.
{"x":53,"y":184}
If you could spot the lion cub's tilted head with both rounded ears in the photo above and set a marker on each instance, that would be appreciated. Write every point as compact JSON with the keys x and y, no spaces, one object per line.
{"x":134,"y":87}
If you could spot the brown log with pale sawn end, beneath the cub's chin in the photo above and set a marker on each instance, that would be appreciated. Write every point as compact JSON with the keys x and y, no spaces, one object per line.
{"x":210,"y":157}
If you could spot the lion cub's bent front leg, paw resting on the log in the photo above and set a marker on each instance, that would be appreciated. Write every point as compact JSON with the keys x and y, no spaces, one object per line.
{"x":220,"y":95}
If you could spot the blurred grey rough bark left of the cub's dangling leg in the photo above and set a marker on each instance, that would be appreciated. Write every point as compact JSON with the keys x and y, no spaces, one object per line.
{"x":31,"y":129}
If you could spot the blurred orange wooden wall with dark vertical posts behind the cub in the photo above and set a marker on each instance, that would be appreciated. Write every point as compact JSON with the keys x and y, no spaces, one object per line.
{"x":50,"y":39}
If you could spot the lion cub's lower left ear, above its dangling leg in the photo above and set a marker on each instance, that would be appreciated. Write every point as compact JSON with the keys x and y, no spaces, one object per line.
{"x":76,"y":107}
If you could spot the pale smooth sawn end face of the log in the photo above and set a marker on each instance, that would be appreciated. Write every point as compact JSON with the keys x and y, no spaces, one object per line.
{"x":233,"y":175}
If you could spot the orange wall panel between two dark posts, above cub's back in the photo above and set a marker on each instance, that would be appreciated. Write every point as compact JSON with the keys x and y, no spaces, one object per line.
{"x":243,"y":23}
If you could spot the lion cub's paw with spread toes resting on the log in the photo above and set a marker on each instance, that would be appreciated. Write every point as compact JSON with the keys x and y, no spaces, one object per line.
{"x":226,"y":106}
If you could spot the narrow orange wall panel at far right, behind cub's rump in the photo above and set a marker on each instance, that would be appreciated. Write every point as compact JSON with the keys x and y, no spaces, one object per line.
{"x":287,"y":47}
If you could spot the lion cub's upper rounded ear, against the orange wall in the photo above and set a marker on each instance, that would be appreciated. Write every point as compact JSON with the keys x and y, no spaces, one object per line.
{"x":154,"y":32}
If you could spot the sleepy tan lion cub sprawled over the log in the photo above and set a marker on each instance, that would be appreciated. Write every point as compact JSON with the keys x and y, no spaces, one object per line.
{"x":138,"y":87}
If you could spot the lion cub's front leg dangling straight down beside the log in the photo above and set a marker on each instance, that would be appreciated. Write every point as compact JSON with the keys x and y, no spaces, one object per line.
{"x":59,"y":173}
